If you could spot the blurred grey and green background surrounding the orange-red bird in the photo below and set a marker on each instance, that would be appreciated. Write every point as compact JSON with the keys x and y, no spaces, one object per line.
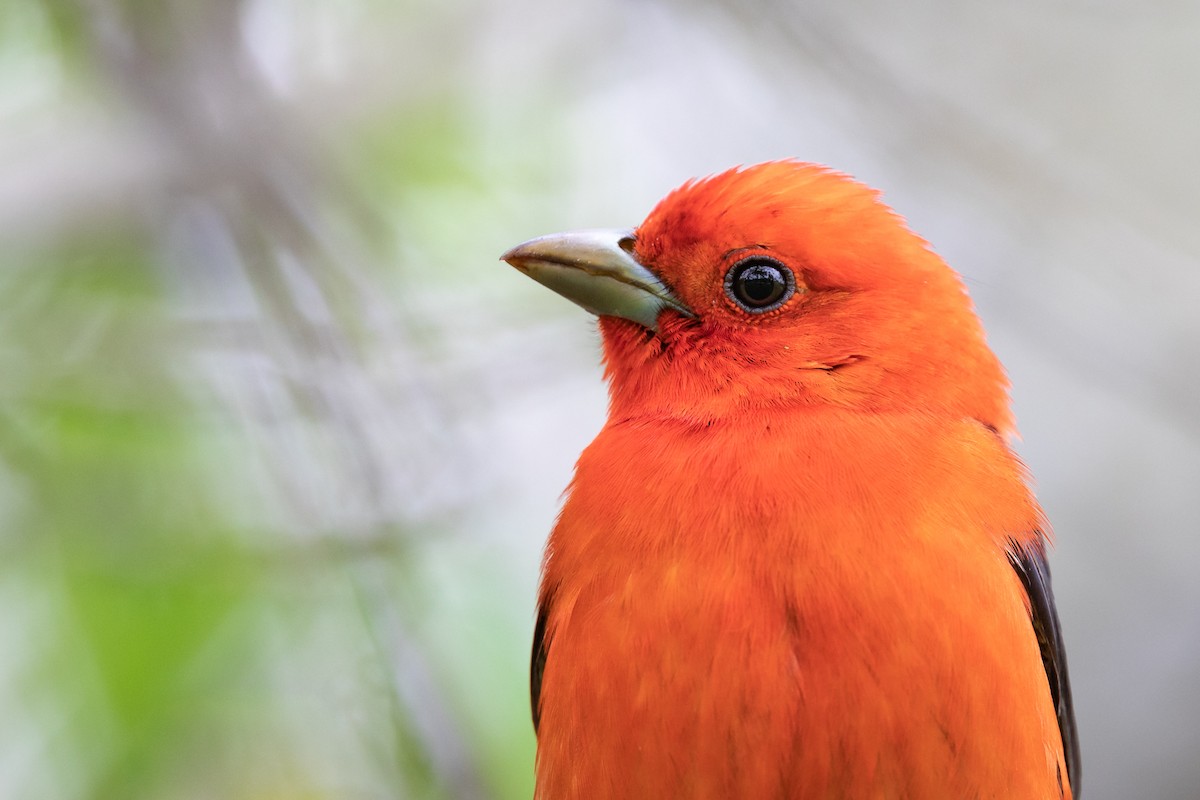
{"x":281,"y":440}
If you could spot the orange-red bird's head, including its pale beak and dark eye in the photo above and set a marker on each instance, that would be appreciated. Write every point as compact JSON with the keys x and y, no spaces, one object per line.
{"x":779,"y":285}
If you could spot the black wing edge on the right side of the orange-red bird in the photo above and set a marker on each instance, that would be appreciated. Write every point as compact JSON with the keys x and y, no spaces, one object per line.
{"x":1030,"y":562}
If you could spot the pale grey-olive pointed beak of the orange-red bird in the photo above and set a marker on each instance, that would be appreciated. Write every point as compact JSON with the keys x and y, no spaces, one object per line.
{"x":597,"y":270}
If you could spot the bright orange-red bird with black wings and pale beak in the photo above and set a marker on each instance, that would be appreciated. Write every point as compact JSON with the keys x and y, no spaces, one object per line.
{"x":801,"y":560}
